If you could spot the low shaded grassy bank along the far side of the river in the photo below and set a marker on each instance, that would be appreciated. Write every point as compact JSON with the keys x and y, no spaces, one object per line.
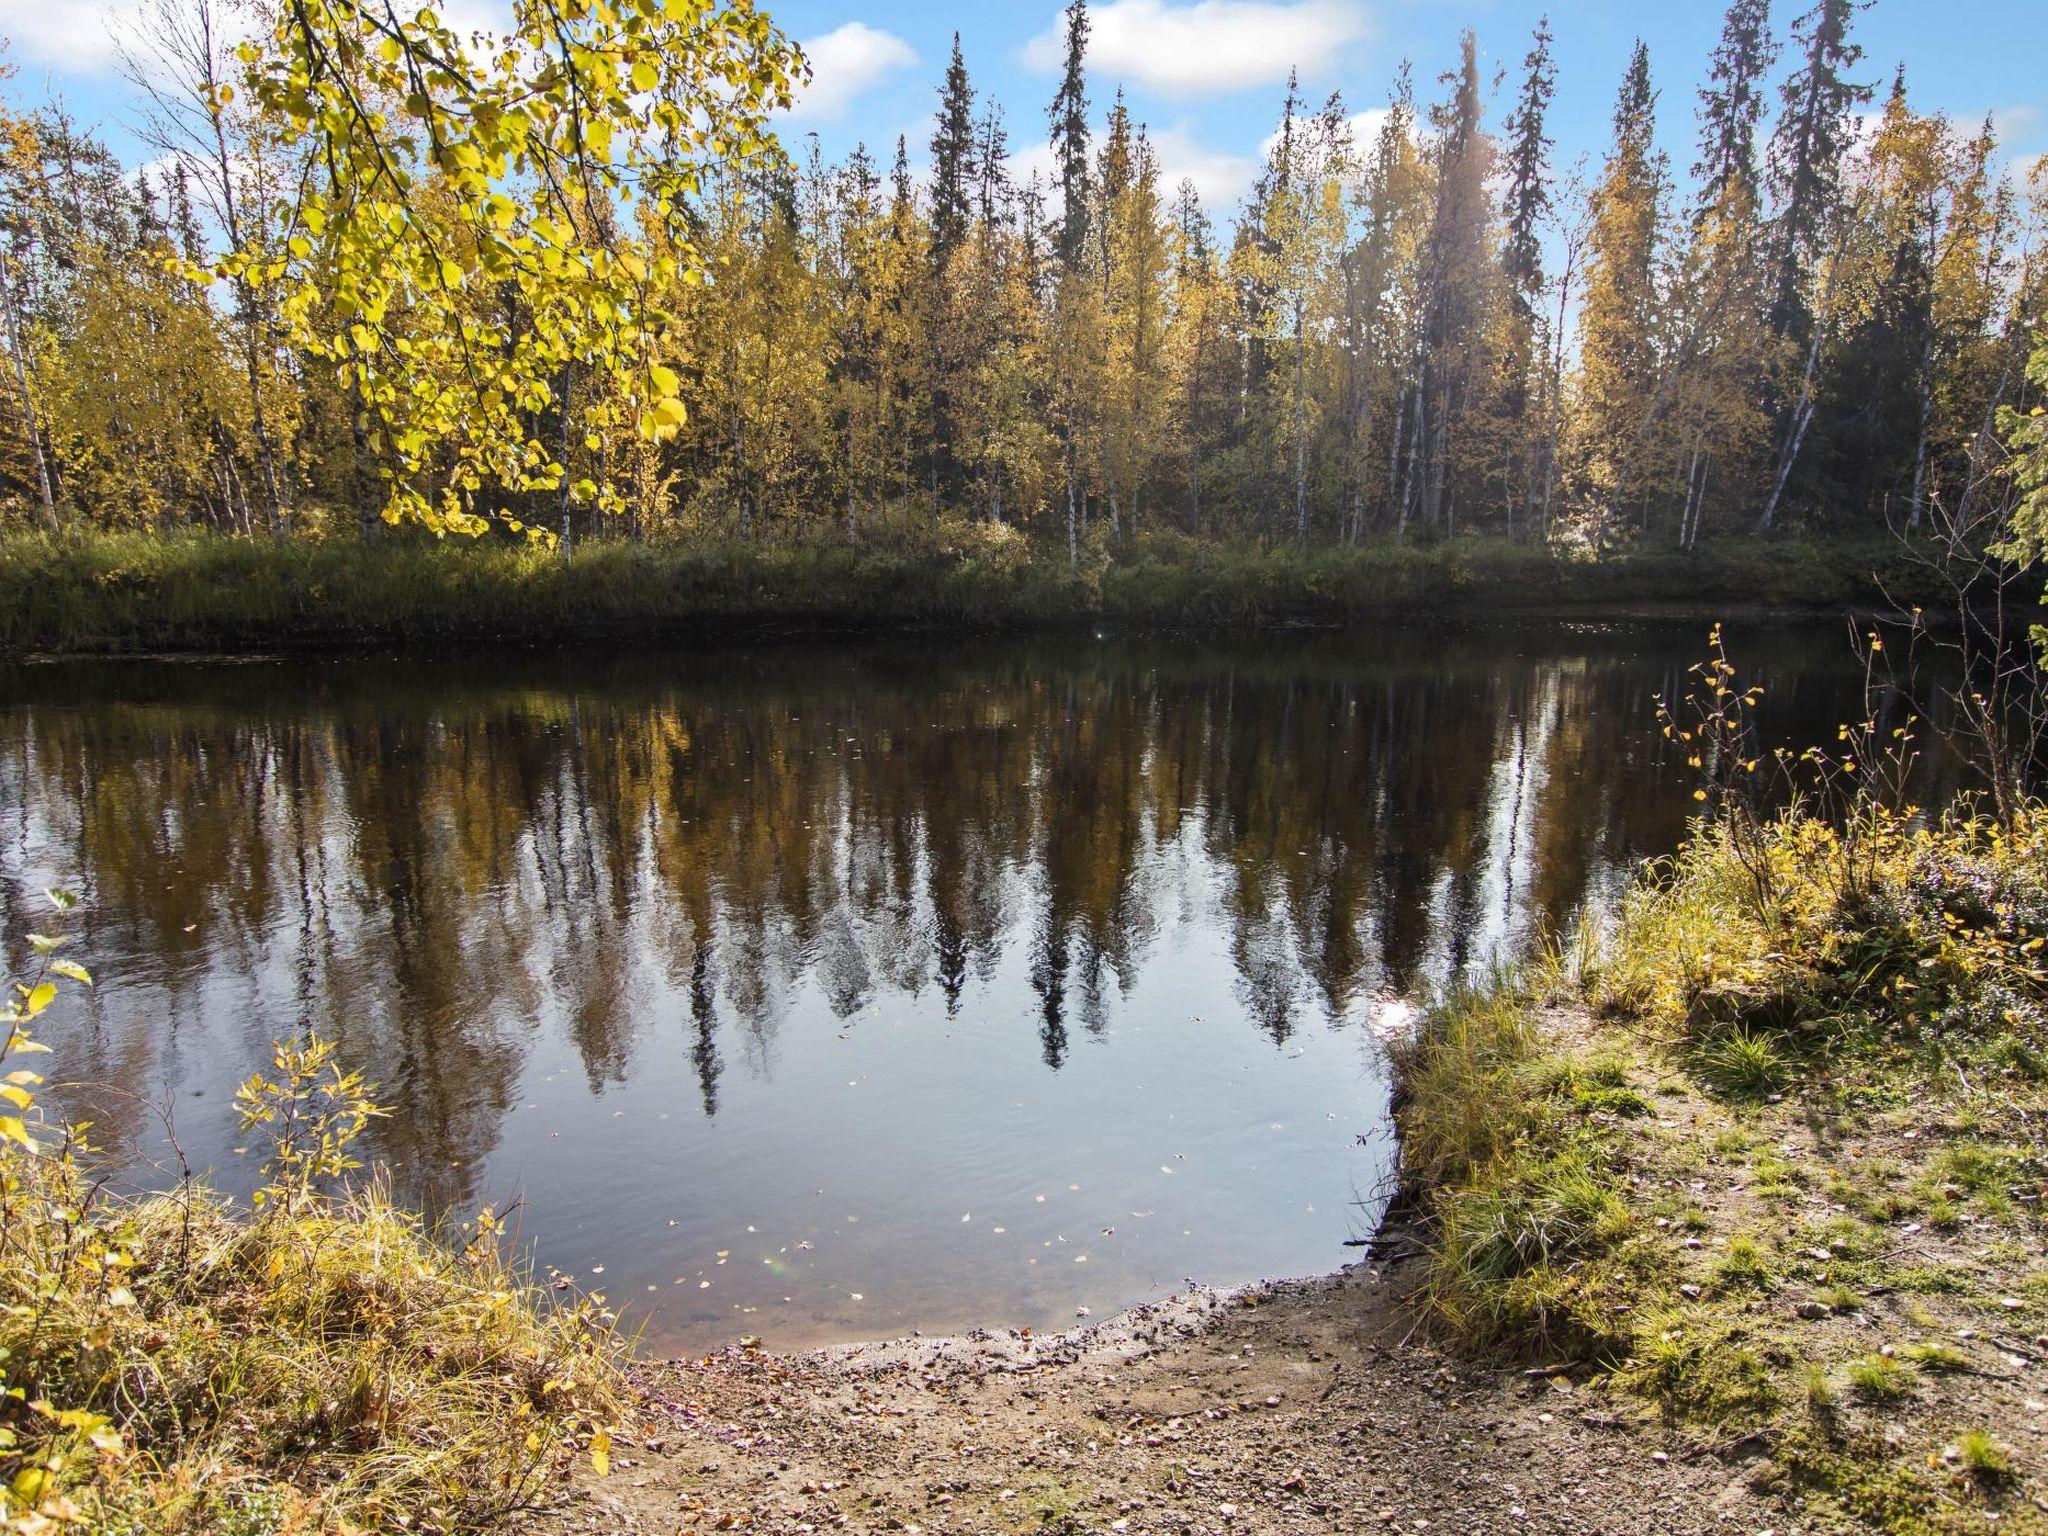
{"x":200,"y":593}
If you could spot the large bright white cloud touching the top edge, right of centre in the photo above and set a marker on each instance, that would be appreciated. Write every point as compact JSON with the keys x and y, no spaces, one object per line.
{"x":1207,"y":46}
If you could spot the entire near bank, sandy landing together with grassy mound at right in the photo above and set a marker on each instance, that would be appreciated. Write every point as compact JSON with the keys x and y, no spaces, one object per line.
{"x":1732,"y":1222}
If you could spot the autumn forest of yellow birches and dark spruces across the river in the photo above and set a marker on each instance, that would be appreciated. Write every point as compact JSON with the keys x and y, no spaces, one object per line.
{"x":1416,"y":327}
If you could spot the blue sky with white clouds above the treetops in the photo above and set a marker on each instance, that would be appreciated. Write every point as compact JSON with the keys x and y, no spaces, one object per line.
{"x":1207,"y":75}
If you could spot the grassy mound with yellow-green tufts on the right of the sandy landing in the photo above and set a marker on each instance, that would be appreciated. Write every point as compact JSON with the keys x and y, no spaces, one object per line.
{"x":1840,"y":1021}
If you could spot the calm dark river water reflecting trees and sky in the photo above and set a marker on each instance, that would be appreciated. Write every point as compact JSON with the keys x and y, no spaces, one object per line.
{"x":837,"y":990}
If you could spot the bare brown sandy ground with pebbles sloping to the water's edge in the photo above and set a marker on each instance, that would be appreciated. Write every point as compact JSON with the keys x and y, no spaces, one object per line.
{"x":1297,"y":1408}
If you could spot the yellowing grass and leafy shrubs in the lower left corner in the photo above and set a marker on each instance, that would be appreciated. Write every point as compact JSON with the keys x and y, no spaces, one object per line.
{"x":173,"y":1365}
